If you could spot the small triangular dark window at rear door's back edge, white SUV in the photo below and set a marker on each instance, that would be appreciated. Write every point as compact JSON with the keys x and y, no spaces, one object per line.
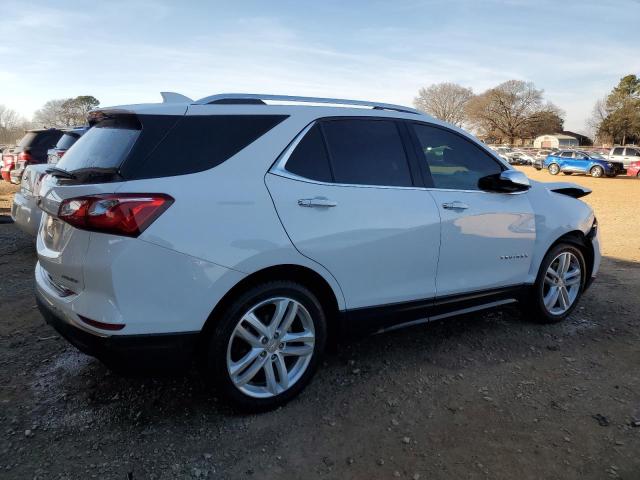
{"x":310,"y":159}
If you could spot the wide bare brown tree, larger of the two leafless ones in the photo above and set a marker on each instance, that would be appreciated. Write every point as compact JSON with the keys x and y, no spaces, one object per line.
{"x":514,"y":109}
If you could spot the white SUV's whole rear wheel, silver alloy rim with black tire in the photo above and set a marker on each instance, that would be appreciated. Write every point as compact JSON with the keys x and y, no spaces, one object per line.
{"x":266,"y":347}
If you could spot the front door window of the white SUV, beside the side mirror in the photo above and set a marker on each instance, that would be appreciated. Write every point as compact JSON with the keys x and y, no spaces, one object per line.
{"x":455,"y":162}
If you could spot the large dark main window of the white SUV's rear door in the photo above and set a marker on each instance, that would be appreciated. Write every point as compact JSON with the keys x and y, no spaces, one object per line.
{"x":367,"y":152}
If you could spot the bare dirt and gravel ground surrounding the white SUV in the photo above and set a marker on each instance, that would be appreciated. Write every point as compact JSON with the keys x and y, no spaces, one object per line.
{"x":485,"y":396}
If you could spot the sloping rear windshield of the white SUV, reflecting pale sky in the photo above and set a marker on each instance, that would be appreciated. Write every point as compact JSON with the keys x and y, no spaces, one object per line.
{"x":104,"y":146}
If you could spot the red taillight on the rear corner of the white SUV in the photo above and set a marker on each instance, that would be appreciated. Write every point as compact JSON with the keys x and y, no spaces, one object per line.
{"x":126,"y":214}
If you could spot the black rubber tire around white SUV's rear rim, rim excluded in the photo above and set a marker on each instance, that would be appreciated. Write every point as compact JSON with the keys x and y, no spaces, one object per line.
{"x":216,"y":355}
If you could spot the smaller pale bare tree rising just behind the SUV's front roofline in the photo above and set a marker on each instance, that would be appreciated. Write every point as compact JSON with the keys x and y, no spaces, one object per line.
{"x":445,"y":101}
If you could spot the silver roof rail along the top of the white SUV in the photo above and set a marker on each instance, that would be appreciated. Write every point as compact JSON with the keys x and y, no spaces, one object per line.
{"x":254,"y":98}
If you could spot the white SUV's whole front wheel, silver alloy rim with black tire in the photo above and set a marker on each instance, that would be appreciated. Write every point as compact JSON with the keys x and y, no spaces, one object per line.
{"x":559,"y":285}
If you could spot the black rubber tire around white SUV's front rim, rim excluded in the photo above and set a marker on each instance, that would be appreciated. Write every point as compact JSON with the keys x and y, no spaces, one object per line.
{"x":533,"y":305}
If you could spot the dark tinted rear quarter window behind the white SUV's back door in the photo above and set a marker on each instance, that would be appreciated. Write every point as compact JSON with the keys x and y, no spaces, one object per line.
{"x":198,"y":143}
